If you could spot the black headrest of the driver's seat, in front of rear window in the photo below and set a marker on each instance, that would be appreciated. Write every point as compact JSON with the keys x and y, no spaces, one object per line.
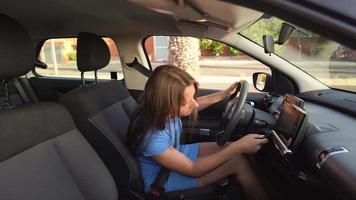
{"x":92,"y":52}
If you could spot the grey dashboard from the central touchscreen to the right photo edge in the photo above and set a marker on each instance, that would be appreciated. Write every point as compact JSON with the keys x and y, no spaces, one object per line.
{"x":324,"y":138}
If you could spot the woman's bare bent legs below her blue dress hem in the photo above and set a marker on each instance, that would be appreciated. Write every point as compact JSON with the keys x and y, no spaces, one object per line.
{"x":238,"y":167}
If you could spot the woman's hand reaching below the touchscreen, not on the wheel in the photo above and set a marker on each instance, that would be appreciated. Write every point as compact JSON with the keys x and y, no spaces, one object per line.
{"x":250,"y":143}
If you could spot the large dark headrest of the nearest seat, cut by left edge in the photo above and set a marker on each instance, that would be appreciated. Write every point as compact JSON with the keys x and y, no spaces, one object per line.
{"x":17,"y":54}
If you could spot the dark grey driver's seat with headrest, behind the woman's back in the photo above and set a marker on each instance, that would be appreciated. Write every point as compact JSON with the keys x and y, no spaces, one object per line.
{"x":102,"y":111}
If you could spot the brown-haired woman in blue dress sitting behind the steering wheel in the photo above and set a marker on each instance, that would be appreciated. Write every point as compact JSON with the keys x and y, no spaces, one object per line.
{"x":171,"y":93}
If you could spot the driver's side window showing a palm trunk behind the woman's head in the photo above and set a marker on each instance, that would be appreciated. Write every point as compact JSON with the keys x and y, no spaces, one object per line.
{"x":213,"y":64}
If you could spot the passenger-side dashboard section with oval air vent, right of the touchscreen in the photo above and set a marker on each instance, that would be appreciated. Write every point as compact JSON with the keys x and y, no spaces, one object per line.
{"x":331,"y":146}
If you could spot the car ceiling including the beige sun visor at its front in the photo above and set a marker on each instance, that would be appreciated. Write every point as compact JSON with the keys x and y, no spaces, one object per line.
{"x":53,"y":18}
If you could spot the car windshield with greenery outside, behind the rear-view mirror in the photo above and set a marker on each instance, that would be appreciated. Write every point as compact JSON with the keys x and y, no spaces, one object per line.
{"x":328,"y":61}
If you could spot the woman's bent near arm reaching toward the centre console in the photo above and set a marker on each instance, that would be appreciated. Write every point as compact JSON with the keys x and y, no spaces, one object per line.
{"x":175,"y":160}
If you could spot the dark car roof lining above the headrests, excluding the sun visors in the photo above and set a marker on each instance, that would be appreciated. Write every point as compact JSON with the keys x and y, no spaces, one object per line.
{"x":51,"y":18}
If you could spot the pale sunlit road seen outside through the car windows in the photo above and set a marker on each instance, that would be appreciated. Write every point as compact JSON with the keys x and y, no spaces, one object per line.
{"x":218,"y":74}
